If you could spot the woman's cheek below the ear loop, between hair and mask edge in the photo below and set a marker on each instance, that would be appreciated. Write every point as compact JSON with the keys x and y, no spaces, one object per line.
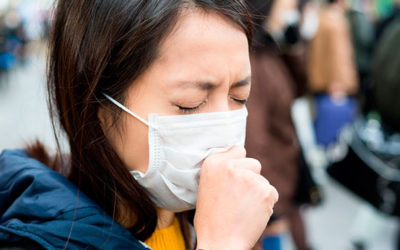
{"x":131,"y":144}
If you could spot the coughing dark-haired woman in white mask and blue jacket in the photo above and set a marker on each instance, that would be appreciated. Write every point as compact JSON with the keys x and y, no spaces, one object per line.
{"x":148,"y":93}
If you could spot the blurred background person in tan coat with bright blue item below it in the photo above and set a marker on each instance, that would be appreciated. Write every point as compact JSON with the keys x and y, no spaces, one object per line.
{"x":332,"y":73}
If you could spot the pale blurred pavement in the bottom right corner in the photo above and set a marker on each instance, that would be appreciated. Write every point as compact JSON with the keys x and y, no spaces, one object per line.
{"x":344,"y":218}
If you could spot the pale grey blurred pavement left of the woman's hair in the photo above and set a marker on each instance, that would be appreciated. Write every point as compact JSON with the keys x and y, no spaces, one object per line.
{"x":23,"y":106}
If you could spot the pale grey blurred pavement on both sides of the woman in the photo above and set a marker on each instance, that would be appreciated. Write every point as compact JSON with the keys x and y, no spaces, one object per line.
{"x":342,"y":217}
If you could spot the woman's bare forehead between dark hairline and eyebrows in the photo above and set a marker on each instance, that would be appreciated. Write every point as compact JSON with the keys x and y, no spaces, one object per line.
{"x":205,"y":41}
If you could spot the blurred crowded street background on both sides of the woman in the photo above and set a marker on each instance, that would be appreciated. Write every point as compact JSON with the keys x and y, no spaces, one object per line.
{"x":329,"y":74}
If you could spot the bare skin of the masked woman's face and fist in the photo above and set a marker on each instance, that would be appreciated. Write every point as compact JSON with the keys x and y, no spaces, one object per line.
{"x":203,"y":66}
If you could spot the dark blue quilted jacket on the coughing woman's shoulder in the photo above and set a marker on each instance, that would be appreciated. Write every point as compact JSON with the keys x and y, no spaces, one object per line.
{"x":40,"y":206}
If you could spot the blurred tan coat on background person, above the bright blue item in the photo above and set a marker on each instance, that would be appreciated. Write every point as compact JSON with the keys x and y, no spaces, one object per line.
{"x":331,"y":66}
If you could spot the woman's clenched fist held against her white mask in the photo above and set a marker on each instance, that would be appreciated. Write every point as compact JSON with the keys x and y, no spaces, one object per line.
{"x":234,"y":202}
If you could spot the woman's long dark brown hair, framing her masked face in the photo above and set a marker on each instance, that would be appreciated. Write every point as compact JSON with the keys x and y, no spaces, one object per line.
{"x":103,"y":46}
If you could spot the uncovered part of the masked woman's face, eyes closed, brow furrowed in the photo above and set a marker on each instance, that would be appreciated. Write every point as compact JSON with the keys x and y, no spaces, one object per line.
{"x":203,"y":66}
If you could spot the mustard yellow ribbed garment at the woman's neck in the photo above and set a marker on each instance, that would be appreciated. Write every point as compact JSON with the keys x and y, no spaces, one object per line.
{"x":169,"y":238}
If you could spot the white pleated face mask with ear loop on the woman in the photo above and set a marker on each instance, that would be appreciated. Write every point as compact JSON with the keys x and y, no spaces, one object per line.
{"x":178,"y":146}
